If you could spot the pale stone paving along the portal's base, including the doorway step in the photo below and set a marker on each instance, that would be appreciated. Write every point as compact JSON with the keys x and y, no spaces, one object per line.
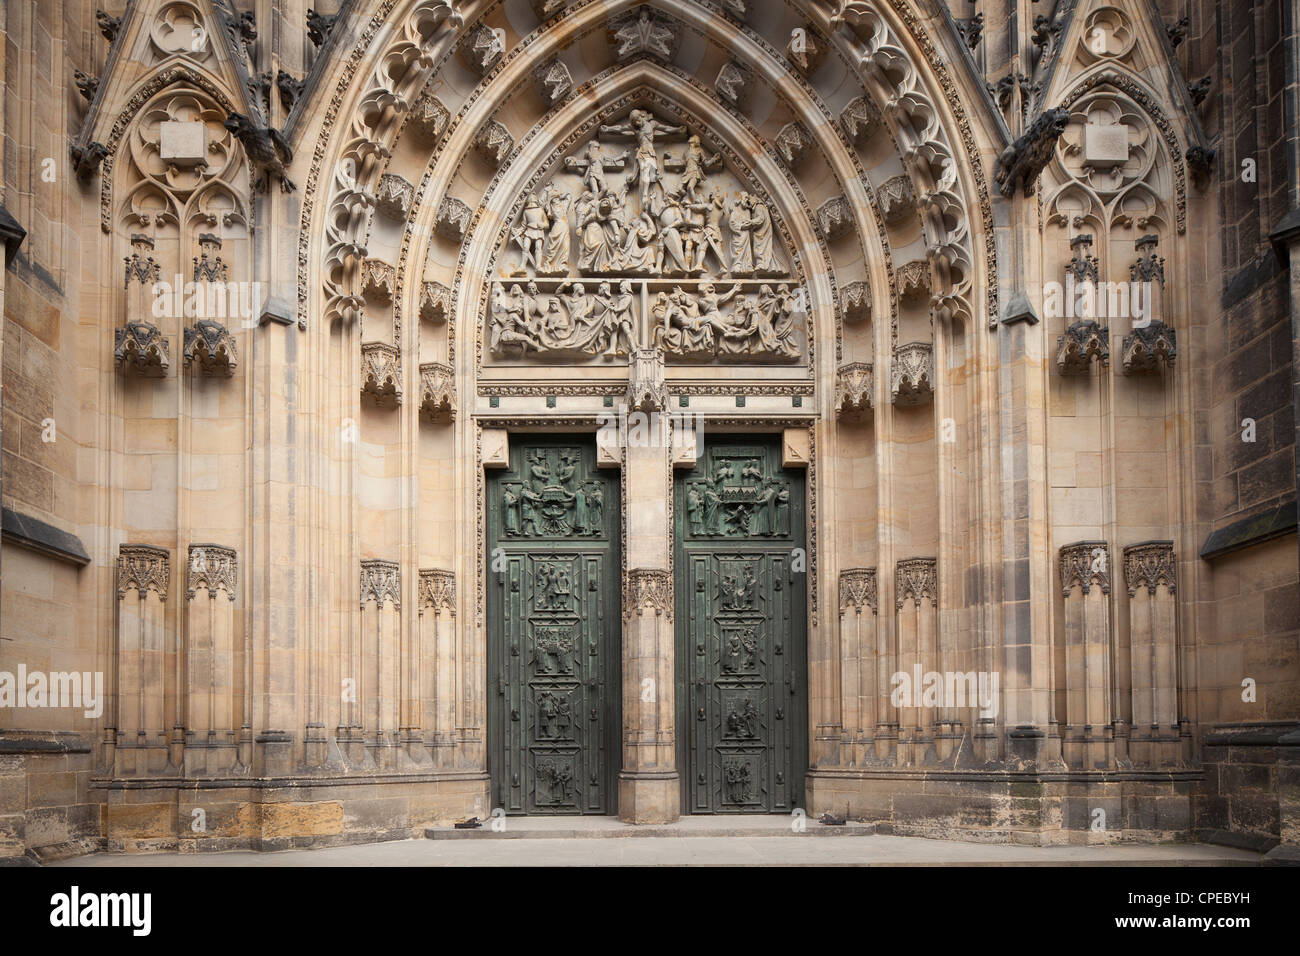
{"x":753,"y":842}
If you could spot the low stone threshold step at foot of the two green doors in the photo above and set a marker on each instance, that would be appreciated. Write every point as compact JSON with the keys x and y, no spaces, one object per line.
{"x":600,"y":828}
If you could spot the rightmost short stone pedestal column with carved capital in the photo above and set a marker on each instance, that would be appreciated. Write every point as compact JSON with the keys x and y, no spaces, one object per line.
{"x":1154,"y":655}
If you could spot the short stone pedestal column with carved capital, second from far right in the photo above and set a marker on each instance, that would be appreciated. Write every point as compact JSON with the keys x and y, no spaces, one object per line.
{"x":1089,"y":742}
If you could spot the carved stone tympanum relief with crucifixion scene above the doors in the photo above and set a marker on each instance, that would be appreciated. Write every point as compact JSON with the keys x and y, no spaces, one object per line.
{"x":644,"y":239}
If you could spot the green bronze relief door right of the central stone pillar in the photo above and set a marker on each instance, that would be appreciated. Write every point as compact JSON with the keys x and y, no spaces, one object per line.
{"x":742,"y":598}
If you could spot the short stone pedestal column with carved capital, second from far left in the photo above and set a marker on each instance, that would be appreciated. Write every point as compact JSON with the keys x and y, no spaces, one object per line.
{"x":213,"y":710}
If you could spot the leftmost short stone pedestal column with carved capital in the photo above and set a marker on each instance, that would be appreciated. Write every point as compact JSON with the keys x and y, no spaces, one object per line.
{"x":144,"y":578}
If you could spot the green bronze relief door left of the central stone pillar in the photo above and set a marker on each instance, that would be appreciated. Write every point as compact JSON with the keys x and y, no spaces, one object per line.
{"x":553,"y":630}
